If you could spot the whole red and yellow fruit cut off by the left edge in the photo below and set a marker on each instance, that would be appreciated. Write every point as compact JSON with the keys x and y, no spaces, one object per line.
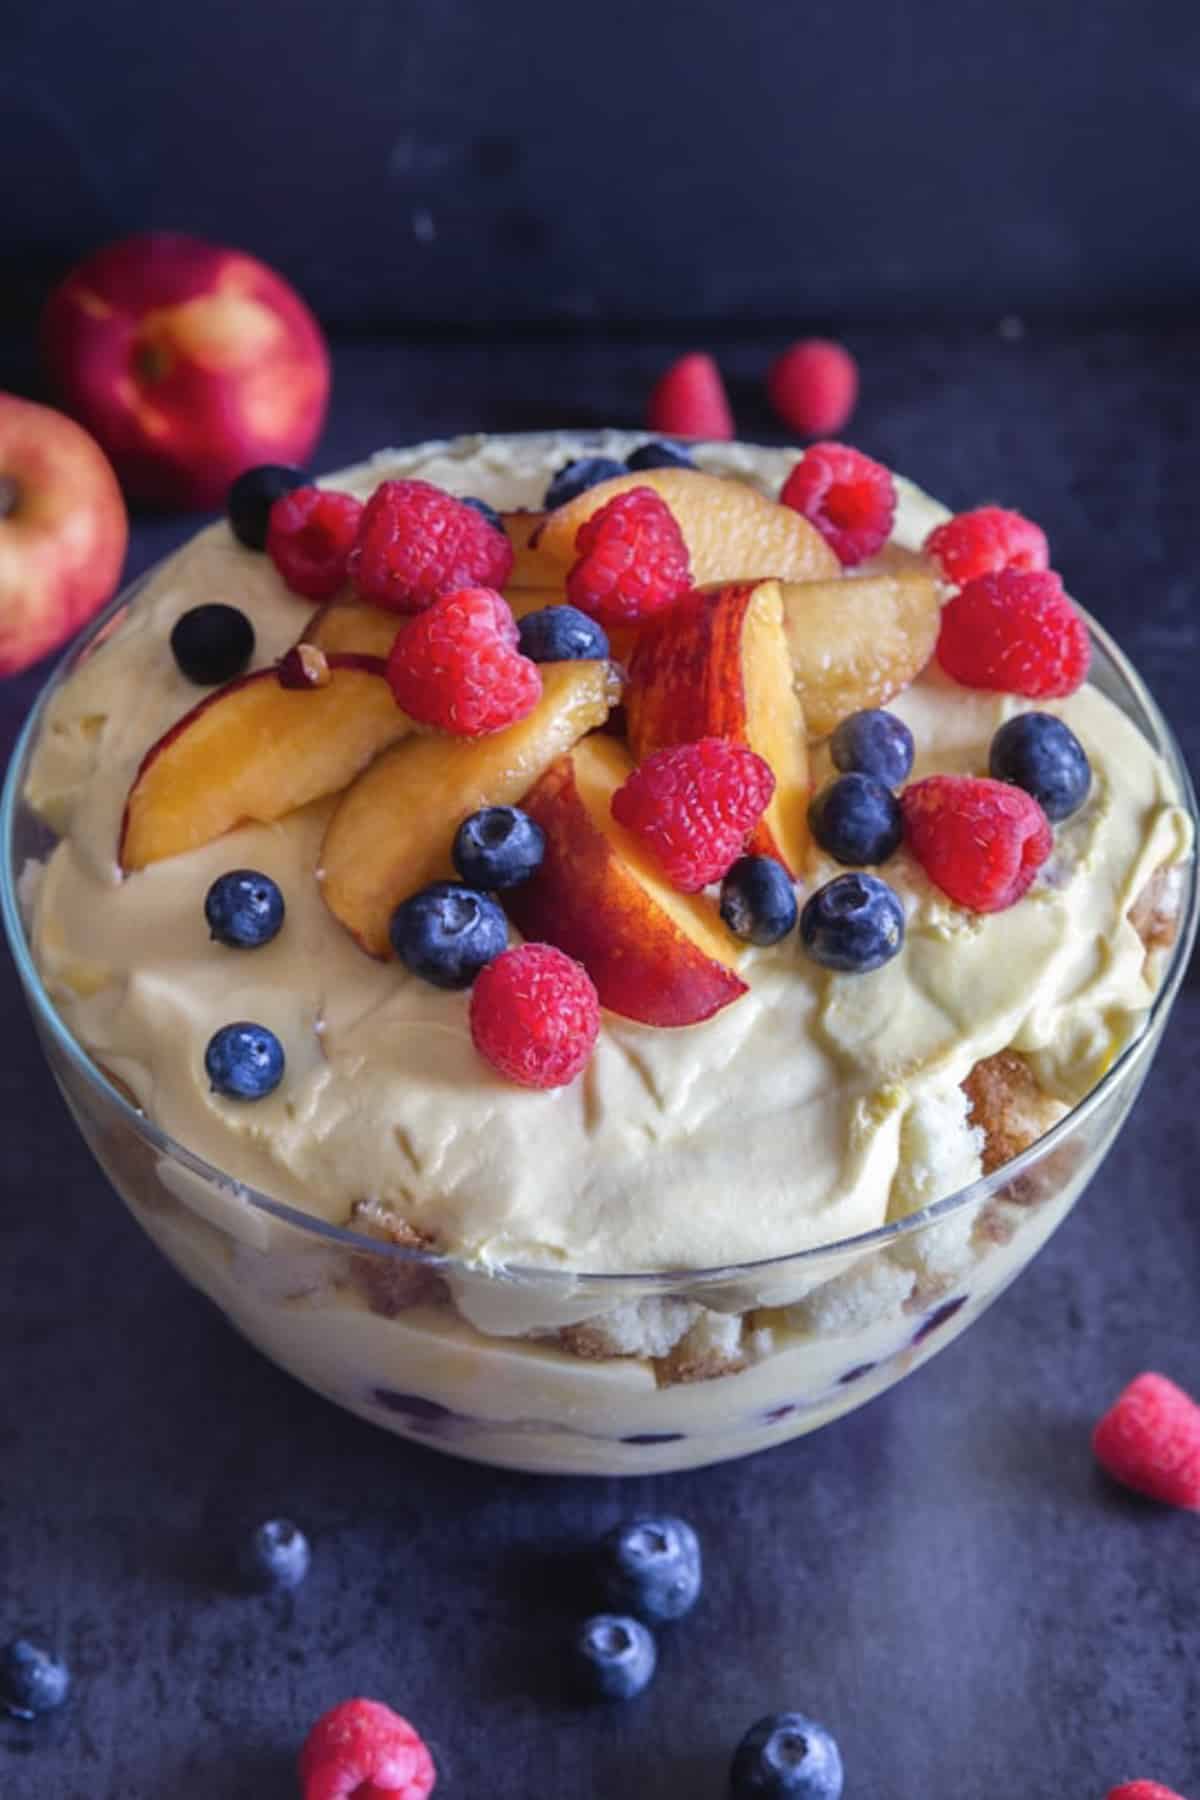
{"x":64,"y":530}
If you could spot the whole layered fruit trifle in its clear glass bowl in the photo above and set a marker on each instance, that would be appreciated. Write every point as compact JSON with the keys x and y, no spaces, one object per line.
{"x":598,"y":931}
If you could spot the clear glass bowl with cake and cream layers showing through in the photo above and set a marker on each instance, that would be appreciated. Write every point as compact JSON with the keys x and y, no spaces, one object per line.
{"x":559,"y":1369}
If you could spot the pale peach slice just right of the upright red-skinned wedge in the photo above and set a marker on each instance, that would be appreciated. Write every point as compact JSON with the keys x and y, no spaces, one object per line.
{"x":859,"y":642}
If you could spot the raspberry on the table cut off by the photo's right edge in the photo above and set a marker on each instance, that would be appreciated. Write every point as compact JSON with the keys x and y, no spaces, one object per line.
{"x":1151,"y":1441}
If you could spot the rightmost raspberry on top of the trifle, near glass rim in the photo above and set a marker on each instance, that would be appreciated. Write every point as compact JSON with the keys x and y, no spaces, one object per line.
{"x":1016,"y":633}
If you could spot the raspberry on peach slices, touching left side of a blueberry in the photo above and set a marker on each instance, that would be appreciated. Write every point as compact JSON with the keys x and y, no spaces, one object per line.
{"x":458,"y":667}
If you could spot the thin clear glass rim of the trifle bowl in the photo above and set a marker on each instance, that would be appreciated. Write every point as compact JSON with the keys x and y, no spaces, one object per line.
{"x":654,"y":1281}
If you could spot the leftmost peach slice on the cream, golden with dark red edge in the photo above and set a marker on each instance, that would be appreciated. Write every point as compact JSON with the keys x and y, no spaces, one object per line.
{"x":255,"y":751}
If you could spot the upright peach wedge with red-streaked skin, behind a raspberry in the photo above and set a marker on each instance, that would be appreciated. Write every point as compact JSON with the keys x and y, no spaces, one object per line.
{"x":717,"y":667}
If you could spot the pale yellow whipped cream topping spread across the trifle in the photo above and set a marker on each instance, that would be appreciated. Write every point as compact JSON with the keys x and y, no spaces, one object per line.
{"x":798,"y":1117}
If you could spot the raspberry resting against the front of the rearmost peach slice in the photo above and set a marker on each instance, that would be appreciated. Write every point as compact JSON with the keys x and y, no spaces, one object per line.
{"x":632,"y":561}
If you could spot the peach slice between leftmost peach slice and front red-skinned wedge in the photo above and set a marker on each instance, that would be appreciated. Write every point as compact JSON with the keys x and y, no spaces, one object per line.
{"x":393,"y":831}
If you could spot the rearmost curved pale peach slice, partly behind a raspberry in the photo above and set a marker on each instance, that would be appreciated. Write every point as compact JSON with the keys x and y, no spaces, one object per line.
{"x":733,"y":534}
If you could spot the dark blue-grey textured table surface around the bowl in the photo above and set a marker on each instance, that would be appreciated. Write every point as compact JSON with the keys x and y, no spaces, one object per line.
{"x":942,"y":1578}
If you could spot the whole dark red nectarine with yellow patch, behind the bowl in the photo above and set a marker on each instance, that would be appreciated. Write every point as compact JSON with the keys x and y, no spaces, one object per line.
{"x":188,"y":363}
